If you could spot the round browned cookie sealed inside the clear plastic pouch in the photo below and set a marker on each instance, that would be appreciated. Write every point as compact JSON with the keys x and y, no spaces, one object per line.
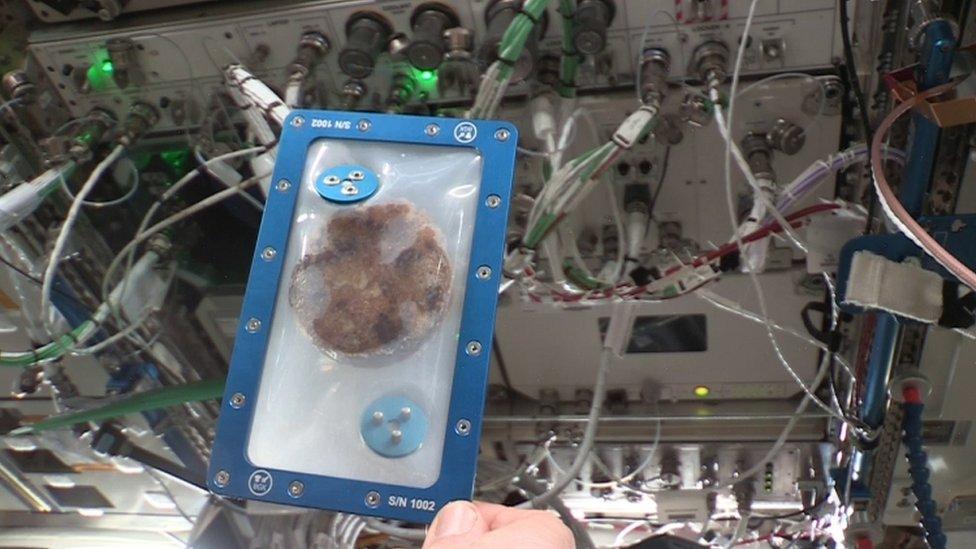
{"x":378,"y":279}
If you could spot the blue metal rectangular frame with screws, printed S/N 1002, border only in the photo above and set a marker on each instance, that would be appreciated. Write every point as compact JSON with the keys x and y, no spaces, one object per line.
{"x":231,"y":474}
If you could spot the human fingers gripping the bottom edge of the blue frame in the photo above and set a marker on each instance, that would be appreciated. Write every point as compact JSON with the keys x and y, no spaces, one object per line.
{"x":466,"y":525}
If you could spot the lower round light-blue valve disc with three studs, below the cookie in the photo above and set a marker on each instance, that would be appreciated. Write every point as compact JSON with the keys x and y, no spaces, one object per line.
{"x":393,"y":426}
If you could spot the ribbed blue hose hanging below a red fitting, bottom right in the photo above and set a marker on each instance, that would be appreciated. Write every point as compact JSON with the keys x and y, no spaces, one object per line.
{"x":919,"y":471}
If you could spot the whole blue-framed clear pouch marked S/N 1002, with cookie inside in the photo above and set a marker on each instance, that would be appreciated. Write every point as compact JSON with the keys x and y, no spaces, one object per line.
{"x":370,"y":300}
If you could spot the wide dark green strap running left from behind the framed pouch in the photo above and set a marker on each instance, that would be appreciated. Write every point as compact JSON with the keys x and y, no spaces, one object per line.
{"x":132,"y":404}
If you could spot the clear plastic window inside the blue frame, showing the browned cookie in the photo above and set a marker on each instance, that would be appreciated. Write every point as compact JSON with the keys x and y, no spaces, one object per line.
{"x":367,"y":316}
